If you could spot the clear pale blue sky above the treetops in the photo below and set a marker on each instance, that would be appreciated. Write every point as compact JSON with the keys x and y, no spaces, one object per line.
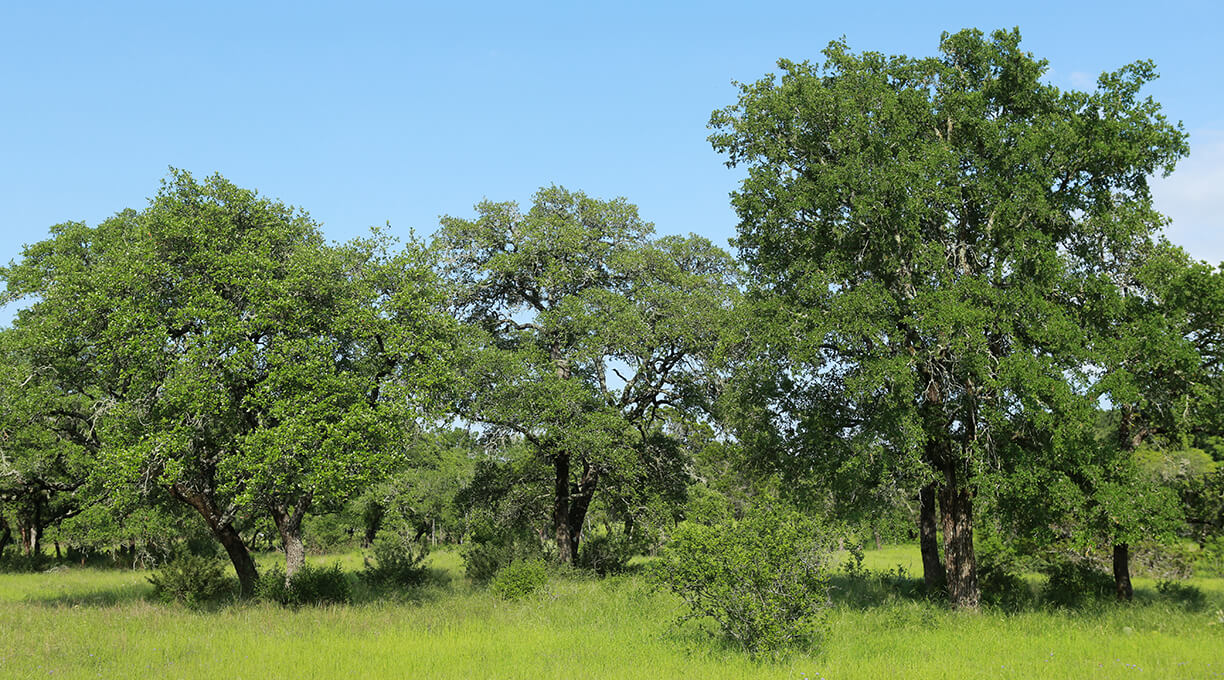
{"x":373,"y":113}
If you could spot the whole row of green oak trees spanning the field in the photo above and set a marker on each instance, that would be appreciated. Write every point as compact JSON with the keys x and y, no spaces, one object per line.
{"x":953,"y":310}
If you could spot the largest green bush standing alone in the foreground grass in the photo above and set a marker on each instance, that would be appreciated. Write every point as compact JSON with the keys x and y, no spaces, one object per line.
{"x":764,"y":580}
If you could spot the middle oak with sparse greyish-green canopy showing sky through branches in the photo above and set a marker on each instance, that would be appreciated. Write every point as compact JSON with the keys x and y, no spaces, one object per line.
{"x":594,"y":336}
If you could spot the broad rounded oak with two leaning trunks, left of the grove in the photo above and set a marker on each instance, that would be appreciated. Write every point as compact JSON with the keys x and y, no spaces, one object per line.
{"x":225,"y":353}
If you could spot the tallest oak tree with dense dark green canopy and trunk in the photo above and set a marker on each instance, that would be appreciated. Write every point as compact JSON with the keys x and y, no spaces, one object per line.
{"x":935,"y":231}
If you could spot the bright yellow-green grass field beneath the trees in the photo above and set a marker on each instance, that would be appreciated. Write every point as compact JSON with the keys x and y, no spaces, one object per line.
{"x":85,"y":623}
